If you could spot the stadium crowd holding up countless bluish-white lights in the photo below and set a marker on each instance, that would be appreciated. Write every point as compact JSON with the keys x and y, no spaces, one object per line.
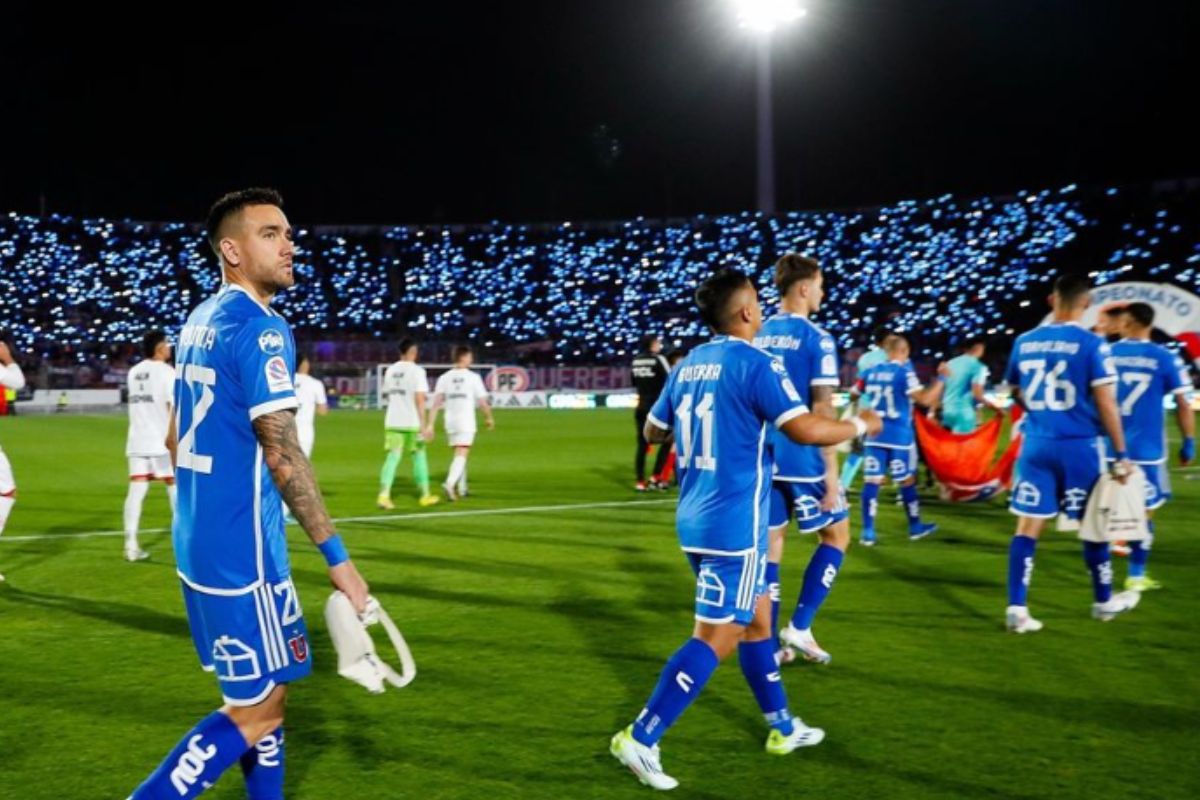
{"x":75,"y":294}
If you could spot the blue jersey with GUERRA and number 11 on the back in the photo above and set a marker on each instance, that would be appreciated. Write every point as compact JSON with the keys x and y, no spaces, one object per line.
{"x":722,"y":400}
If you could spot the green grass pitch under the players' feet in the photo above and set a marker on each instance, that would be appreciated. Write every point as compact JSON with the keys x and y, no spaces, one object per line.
{"x":539,"y":631}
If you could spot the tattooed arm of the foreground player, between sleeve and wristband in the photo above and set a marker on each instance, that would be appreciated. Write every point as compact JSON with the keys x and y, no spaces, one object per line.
{"x":292,"y":473}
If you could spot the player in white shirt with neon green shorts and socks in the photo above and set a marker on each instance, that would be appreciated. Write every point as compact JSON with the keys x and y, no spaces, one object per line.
{"x":406,"y":387}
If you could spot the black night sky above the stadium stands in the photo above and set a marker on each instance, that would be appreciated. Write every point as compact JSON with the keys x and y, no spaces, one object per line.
{"x":584,"y":110}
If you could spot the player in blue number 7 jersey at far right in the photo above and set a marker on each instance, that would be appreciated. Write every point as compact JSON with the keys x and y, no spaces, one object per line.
{"x":1149,"y":374}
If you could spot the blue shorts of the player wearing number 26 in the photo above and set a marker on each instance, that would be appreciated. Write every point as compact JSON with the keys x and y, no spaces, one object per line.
{"x":1055,"y":476}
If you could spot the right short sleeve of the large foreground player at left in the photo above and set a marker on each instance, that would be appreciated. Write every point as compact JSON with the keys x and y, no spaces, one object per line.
{"x":265,"y":360}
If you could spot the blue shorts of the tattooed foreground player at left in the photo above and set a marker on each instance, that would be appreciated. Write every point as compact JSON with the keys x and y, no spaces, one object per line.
{"x":254,"y":642}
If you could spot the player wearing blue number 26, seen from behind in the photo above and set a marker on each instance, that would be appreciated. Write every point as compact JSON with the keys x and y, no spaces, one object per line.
{"x":1064,"y":376}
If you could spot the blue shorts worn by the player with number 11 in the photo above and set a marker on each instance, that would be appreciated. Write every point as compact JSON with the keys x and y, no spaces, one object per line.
{"x":729,"y":586}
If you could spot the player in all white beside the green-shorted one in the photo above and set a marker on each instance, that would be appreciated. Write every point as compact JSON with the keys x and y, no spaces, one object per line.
{"x":461,"y":392}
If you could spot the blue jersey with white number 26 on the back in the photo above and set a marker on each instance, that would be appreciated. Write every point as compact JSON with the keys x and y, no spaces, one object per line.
{"x":1057,"y":368}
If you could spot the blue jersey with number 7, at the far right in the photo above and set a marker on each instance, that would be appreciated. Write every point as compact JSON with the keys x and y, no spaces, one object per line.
{"x":1148,"y":375}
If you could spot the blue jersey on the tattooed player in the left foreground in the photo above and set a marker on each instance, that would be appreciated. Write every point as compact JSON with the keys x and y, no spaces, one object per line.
{"x":235,"y":363}
